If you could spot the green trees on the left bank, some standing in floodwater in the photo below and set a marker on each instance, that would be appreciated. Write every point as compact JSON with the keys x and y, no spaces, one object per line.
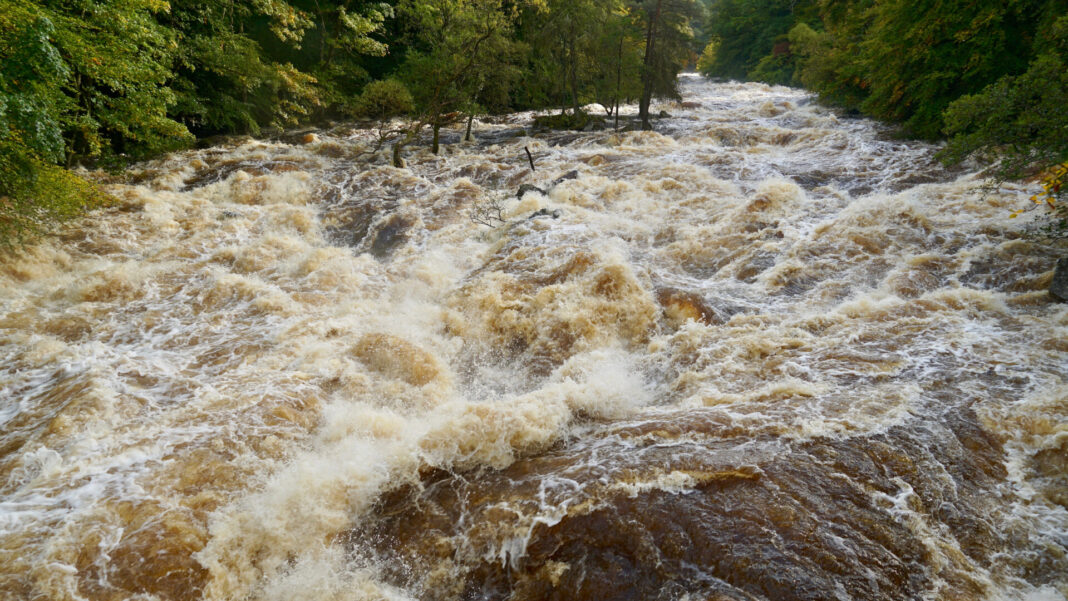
{"x":107,"y":82}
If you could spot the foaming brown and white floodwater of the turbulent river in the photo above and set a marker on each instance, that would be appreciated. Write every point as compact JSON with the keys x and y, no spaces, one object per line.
{"x":764,"y":353}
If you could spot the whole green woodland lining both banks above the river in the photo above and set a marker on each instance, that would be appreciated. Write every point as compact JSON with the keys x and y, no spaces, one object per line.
{"x":106,"y":82}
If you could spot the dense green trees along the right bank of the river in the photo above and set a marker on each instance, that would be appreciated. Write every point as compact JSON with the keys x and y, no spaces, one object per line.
{"x":993,"y":77}
